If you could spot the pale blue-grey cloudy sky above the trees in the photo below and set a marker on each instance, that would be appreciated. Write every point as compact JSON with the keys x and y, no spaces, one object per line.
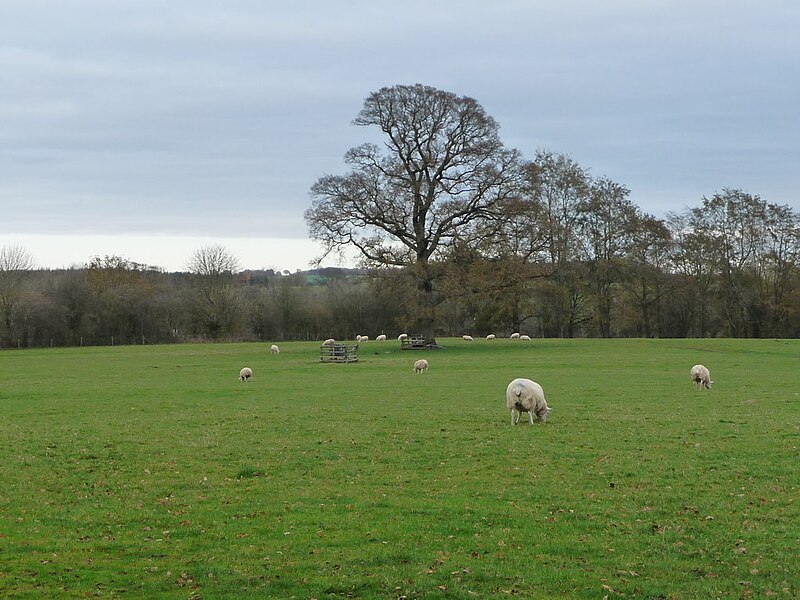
{"x":148,"y":129}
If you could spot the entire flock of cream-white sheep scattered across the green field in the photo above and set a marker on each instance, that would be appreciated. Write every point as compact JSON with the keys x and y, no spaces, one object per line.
{"x":522,"y":395}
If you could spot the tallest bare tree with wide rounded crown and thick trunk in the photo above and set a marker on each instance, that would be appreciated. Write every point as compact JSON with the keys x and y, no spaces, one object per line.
{"x":442,"y":168}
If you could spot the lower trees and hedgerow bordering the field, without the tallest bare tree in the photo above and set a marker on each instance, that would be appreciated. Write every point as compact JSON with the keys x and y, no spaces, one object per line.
{"x":579,"y":264}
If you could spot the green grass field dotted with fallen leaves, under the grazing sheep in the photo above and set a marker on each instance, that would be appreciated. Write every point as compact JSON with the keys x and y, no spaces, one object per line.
{"x":152,"y":472}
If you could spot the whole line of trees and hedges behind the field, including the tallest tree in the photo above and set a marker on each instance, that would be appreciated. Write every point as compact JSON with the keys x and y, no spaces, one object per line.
{"x":457,"y":234}
